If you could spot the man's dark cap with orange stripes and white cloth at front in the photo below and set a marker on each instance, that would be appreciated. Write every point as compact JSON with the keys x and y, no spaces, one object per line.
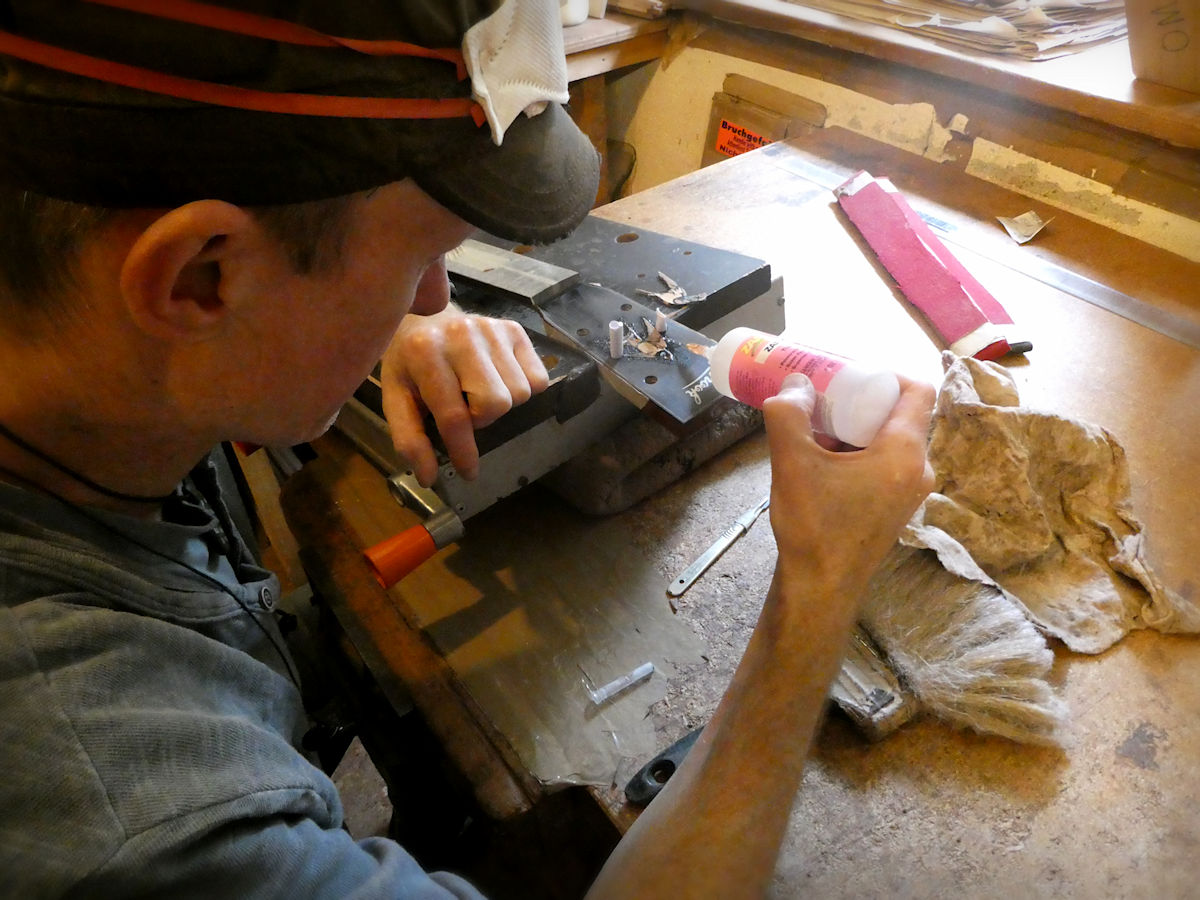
{"x":133,"y":104}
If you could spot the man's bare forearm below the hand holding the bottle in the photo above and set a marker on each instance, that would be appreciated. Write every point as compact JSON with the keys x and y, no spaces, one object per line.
{"x":717,"y":827}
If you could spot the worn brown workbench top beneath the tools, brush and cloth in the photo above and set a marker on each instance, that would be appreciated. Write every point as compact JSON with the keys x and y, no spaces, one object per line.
{"x":537,"y":592}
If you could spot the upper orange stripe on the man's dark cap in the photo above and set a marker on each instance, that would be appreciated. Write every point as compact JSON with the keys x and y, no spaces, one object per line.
{"x":281,"y":32}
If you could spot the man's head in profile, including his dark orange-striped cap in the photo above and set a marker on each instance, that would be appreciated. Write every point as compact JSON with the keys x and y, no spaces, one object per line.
{"x":207,"y":130}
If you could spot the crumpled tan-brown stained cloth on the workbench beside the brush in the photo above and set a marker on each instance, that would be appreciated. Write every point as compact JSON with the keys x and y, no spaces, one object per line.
{"x":1040,"y":507}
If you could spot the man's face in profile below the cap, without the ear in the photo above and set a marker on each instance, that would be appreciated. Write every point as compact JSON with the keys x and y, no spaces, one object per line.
{"x":328,"y":331}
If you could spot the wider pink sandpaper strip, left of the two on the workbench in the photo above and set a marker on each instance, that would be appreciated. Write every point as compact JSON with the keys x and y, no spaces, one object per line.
{"x":911,"y":256}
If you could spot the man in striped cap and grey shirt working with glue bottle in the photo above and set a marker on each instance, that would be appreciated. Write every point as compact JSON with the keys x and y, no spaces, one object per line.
{"x":217,"y":220}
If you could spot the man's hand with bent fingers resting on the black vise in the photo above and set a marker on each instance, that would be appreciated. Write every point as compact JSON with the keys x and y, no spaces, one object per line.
{"x":467,"y":371}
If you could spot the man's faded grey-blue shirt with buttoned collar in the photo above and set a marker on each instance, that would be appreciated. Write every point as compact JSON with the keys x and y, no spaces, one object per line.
{"x":149,"y":723}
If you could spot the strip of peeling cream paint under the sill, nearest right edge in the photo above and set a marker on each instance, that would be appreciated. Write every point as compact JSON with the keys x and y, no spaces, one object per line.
{"x":1084,"y":197}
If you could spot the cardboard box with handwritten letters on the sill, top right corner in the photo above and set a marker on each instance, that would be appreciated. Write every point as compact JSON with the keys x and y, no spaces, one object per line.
{"x":1165,"y":41}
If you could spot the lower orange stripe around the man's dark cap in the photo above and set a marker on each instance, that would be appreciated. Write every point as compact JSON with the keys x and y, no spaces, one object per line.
{"x":225,"y":95}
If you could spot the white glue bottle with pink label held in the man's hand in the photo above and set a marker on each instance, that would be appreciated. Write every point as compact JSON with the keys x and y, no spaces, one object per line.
{"x":853,"y":400}
